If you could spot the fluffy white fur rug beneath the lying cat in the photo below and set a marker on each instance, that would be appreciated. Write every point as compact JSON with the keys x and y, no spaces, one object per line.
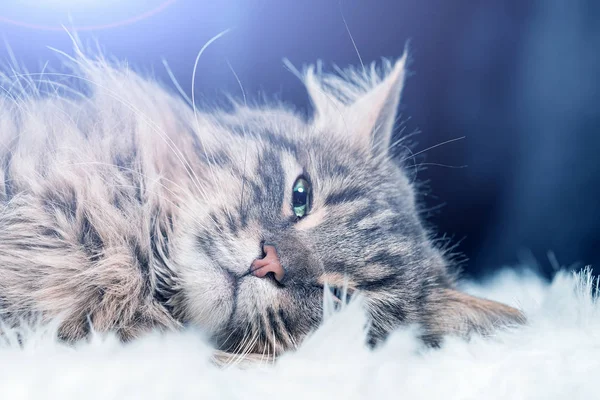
{"x":557,"y":356}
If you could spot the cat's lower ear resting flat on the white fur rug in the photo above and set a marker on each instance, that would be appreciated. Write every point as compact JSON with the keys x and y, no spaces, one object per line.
{"x":457,"y":313}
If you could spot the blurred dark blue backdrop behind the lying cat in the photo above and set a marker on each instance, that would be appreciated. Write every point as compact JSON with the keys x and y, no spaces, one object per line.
{"x":519,"y":79}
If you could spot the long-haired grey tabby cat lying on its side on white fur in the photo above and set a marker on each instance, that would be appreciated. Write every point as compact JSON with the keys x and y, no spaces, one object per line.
{"x":127,"y":210}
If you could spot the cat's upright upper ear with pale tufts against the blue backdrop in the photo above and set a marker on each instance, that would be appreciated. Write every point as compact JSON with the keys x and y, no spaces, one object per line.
{"x":360,"y":104}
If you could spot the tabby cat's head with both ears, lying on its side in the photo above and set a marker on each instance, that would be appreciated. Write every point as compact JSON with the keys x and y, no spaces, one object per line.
{"x":319,"y":203}
